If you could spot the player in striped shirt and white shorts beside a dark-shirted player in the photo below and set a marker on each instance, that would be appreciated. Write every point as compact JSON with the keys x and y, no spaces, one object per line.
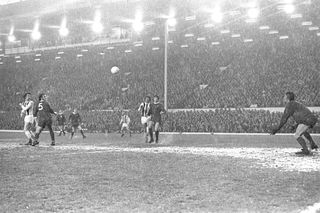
{"x":145,"y":110}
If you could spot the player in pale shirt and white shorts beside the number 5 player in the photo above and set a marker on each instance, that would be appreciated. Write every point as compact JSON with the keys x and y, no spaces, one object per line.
{"x":27,"y":112}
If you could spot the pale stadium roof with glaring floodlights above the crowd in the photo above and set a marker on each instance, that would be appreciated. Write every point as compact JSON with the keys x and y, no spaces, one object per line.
{"x":197,"y":19}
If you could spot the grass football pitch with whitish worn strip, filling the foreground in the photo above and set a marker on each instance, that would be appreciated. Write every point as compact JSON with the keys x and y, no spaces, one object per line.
{"x":183,"y":173}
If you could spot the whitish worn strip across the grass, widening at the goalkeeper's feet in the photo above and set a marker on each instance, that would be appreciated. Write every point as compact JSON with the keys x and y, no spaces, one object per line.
{"x":279,"y":158}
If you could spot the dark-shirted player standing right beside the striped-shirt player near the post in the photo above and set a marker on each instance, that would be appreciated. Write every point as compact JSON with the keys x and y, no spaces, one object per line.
{"x":156,"y":110}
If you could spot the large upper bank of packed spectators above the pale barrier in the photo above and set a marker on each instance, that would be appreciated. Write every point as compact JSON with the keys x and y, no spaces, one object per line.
{"x":200,"y":76}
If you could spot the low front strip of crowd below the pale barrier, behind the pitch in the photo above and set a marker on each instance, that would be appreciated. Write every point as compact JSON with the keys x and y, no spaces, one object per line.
{"x":220,"y":120}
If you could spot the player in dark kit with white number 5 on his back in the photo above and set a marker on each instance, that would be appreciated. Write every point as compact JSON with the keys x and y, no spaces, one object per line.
{"x":42,"y":113}
